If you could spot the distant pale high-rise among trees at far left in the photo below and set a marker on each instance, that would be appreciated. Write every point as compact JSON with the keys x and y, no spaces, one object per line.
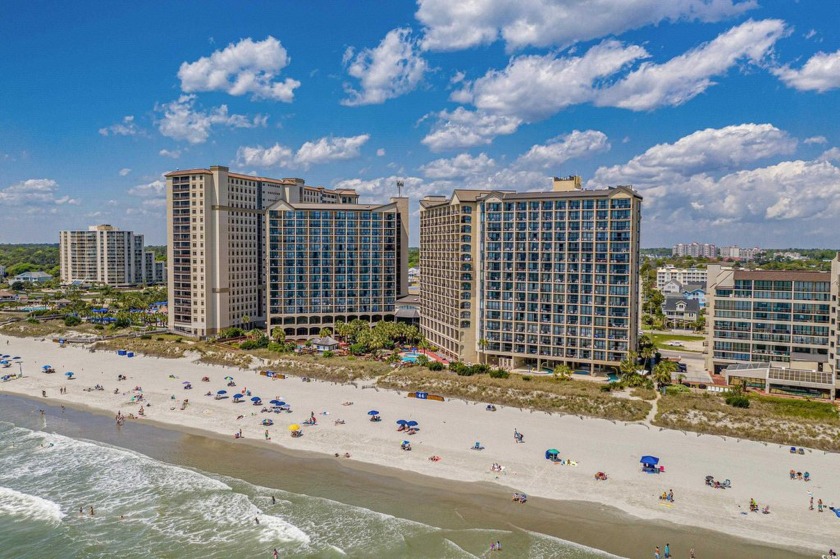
{"x":105,"y":255}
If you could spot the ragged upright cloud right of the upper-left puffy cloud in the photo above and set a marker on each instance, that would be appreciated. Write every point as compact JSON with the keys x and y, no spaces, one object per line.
{"x":389,"y":70}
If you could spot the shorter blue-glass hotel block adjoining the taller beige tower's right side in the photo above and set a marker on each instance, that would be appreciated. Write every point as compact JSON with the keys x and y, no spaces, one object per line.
{"x":330,"y":262}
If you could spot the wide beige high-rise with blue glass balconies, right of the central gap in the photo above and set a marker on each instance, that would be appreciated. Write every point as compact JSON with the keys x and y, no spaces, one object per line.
{"x":532,"y":280}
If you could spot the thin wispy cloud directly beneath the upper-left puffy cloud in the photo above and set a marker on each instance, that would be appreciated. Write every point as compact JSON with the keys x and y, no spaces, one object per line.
{"x":182,"y":122}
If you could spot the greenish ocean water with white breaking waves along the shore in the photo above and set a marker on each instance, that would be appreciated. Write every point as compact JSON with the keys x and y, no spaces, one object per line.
{"x":148,"y":508}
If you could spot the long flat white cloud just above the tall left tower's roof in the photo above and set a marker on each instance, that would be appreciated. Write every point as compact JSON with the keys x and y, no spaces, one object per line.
{"x":319,"y":151}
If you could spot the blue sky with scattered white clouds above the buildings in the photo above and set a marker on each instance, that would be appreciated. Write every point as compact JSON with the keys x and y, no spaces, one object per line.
{"x":722,"y":113}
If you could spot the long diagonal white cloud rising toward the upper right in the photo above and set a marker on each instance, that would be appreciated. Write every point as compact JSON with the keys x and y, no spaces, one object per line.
{"x":686,"y":76}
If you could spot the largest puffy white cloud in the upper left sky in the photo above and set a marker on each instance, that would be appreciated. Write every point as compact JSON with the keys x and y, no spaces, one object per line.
{"x":242,"y":68}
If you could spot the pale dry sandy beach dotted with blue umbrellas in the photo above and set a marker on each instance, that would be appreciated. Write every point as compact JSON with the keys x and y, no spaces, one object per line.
{"x":449,"y":430}
